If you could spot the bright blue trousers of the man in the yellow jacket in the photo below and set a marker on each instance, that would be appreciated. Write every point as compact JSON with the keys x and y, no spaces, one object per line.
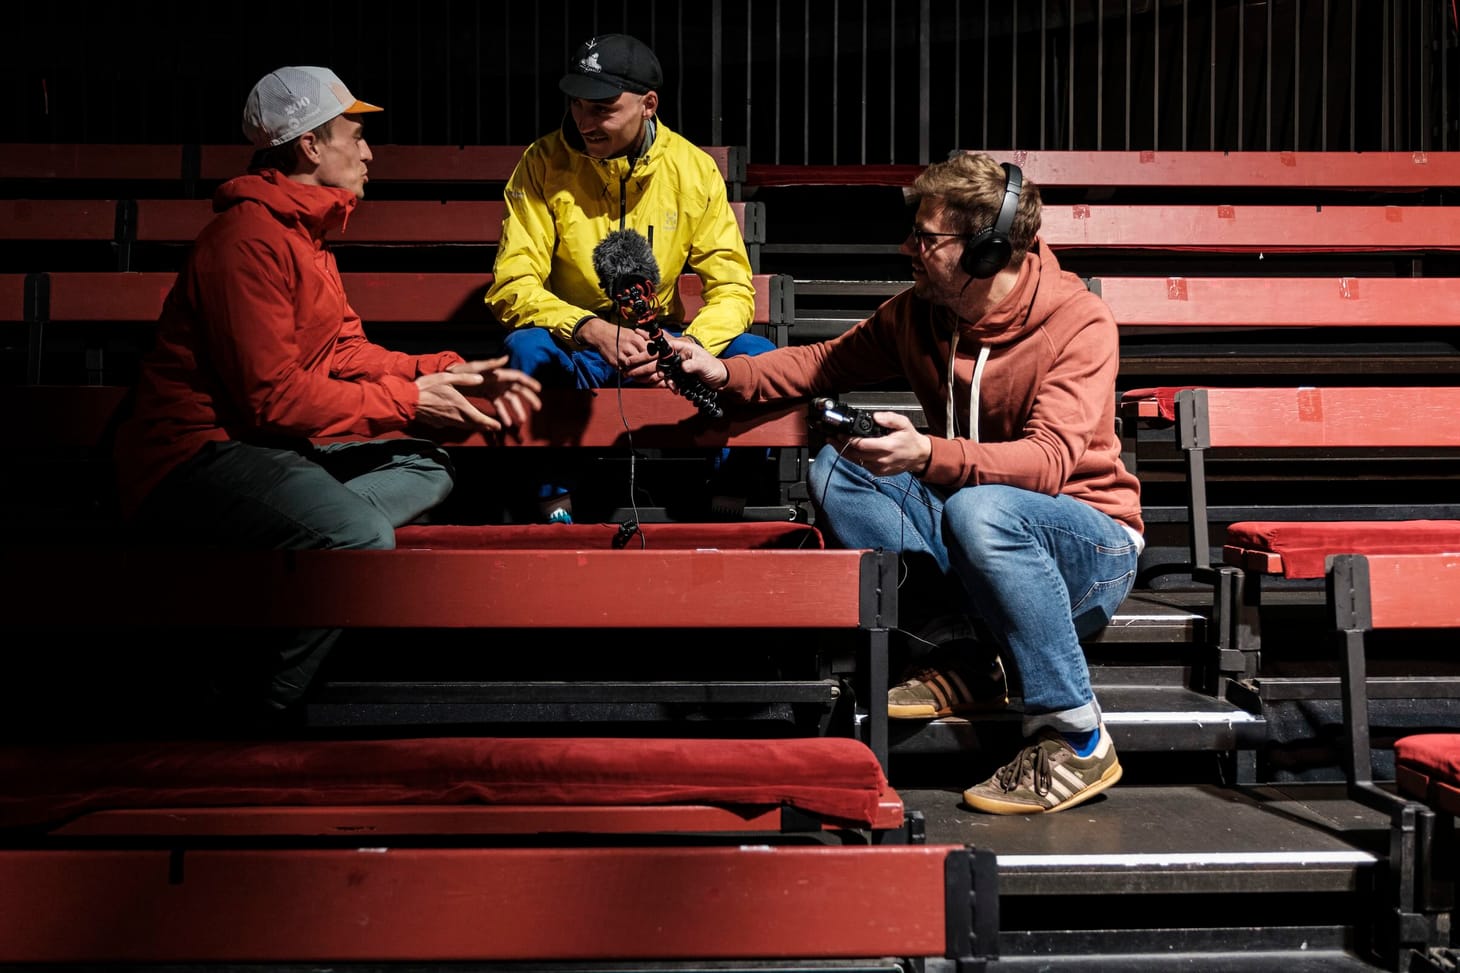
{"x":535,"y":351}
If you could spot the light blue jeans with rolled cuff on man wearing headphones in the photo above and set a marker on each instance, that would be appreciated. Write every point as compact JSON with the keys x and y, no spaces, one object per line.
{"x":1040,"y":572}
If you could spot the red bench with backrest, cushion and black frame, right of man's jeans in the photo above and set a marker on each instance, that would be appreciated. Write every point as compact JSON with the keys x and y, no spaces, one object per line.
{"x":1278,"y":481}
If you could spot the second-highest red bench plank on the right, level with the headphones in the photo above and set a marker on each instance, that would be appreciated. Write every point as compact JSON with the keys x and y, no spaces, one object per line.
{"x":1252,"y":229}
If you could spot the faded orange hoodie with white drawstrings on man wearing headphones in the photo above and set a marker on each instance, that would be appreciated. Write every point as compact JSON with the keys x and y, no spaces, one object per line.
{"x":1046,"y":398}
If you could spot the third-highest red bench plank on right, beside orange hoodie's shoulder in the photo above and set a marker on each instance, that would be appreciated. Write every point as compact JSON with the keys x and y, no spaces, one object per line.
{"x":1227,"y":303}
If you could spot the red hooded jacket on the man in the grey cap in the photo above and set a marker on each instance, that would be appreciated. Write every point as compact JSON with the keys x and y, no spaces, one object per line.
{"x":259,"y":343}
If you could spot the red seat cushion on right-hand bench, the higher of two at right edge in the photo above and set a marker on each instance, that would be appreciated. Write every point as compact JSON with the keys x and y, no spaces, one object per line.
{"x":1305,"y":546}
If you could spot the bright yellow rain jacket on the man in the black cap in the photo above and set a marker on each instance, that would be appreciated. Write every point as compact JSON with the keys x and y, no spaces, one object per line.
{"x":561,"y":204}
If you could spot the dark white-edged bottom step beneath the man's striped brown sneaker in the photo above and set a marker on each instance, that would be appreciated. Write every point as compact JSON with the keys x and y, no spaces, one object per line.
{"x":1163,"y":839}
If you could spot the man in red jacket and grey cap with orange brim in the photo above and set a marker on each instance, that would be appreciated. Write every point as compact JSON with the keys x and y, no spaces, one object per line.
{"x":259,"y":354}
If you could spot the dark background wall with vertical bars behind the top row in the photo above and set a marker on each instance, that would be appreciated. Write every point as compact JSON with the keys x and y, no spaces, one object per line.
{"x":794,"y":81}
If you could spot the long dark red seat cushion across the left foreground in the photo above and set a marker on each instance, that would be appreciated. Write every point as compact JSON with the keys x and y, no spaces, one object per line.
{"x":837,"y":778}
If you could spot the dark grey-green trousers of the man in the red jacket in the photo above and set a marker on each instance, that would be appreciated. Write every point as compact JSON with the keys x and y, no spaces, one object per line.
{"x":296,"y":499}
